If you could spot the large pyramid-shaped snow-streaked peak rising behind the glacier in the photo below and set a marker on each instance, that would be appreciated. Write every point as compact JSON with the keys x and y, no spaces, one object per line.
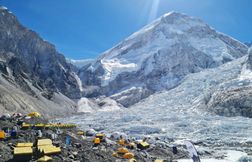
{"x":158,"y":57}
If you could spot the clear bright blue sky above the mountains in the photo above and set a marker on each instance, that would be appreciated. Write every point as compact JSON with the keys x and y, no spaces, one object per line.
{"x":83,"y":29}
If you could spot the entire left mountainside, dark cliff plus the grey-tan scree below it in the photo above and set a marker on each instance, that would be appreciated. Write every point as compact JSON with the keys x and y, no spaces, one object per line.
{"x":33,"y":75}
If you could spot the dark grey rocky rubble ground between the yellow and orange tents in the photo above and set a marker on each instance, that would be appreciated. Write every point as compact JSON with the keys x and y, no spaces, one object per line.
{"x":81,"y":147}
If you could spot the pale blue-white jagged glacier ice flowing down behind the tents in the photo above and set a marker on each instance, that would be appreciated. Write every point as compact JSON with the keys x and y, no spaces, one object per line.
{"x":180,"y":113}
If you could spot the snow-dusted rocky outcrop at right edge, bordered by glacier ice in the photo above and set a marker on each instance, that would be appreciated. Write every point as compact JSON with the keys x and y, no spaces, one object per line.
{"x":234,"y":97}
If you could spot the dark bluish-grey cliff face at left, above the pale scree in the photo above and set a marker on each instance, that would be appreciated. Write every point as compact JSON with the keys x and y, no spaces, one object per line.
{"x":28,"y":57}
